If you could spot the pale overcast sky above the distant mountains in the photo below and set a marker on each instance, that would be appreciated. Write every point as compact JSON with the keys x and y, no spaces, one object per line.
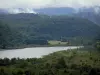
{"x":47,"y":3}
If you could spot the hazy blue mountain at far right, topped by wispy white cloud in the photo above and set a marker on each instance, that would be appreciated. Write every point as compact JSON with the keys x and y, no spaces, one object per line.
{"x":90,"y":13}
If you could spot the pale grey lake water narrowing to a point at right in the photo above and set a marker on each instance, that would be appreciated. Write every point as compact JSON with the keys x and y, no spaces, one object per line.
{"x":33,"y":52}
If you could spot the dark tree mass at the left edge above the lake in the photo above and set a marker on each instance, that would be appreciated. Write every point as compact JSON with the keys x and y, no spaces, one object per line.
{"x":4,"y":35}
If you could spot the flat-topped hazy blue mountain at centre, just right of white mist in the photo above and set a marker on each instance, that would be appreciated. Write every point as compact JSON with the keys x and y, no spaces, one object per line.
{"x":56,"y":11}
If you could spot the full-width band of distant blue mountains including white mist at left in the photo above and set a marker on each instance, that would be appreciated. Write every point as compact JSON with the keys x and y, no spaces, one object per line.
{"x":90,"y":13}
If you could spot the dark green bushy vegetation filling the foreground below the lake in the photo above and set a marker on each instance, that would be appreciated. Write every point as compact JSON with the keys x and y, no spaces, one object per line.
{"x":71,"y":62}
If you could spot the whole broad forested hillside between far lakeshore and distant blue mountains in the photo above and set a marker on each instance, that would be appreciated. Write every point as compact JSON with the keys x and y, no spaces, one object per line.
{"x":34,"y":29}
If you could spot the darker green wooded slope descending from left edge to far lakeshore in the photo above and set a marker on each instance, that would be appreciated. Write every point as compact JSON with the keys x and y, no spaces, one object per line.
{"x":10,"y":38}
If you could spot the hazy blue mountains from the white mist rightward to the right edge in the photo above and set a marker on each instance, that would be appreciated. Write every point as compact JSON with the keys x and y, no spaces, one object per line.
{"x":90,"y":13}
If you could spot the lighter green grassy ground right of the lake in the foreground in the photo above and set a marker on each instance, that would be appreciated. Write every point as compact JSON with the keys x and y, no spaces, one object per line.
{"x":78,"y":57}
